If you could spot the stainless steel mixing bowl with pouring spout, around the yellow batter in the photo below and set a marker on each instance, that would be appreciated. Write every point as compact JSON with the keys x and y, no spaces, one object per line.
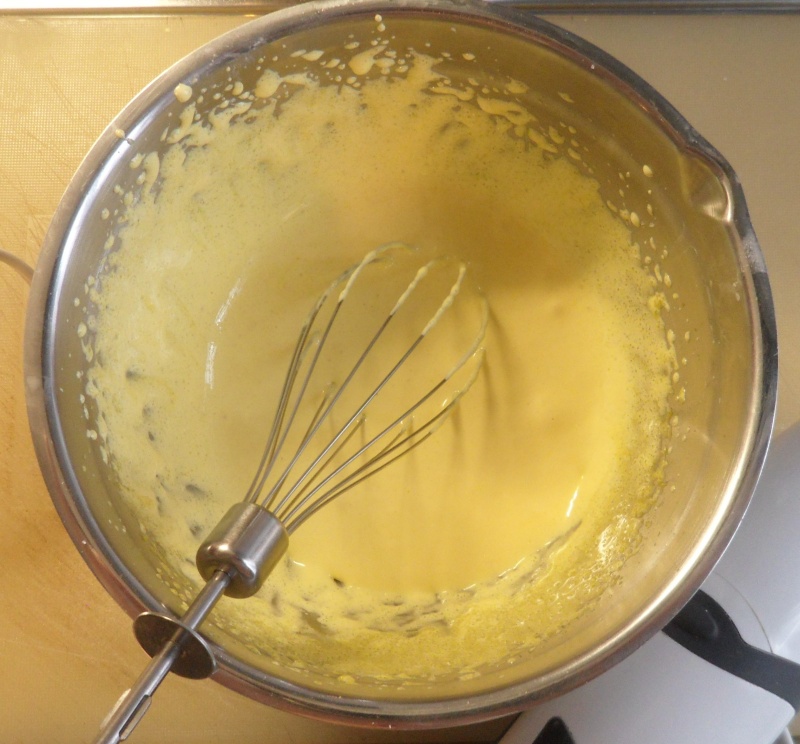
{"x":724,"y":325}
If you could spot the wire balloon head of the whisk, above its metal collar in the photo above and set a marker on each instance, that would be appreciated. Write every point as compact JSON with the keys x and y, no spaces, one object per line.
{"x":384,"y":356}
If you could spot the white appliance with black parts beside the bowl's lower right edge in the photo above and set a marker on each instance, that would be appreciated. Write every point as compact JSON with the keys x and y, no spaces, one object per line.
{"x":727,"y":668}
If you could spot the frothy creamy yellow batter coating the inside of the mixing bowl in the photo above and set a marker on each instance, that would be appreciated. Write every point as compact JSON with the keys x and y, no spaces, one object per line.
{"x":540,"y":478}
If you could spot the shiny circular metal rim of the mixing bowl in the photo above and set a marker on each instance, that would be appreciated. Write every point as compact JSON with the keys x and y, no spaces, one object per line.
{"x":49,"y":443}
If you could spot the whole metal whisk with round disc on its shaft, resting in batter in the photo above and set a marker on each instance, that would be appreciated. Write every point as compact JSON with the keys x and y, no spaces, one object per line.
{"x":384,"y":356}
